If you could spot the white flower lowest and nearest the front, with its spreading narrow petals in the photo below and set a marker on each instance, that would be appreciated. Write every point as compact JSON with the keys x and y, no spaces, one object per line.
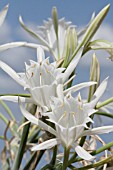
{"x":70,"y":116}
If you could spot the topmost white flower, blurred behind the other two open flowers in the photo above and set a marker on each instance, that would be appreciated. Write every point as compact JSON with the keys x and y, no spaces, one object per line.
{"x":57,"y":36}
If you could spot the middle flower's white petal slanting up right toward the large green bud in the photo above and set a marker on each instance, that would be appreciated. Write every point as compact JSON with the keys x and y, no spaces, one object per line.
{"x":72,"y":66}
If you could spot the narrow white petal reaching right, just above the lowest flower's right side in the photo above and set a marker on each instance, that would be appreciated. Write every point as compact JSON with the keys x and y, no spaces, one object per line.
{"x":78,"y":87}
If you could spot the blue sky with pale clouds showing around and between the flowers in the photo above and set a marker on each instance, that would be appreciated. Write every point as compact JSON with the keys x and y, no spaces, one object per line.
{"x":34,"y":12}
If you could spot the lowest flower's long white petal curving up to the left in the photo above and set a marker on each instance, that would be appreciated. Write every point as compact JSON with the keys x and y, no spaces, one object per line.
{"x":34,"y":120}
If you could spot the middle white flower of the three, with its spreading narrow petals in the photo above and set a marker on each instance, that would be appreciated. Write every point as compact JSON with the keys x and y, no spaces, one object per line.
{"x":41,"y":79}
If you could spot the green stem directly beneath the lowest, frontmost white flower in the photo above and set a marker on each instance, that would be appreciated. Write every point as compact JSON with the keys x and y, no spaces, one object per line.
{"x":66,"y":156}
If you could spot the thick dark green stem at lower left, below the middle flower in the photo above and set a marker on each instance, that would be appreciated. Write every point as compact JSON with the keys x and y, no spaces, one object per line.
{"x":21,"y":149}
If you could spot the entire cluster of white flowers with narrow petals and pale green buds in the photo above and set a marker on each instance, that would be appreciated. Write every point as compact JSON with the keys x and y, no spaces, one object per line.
{"x":63,"y":115}
